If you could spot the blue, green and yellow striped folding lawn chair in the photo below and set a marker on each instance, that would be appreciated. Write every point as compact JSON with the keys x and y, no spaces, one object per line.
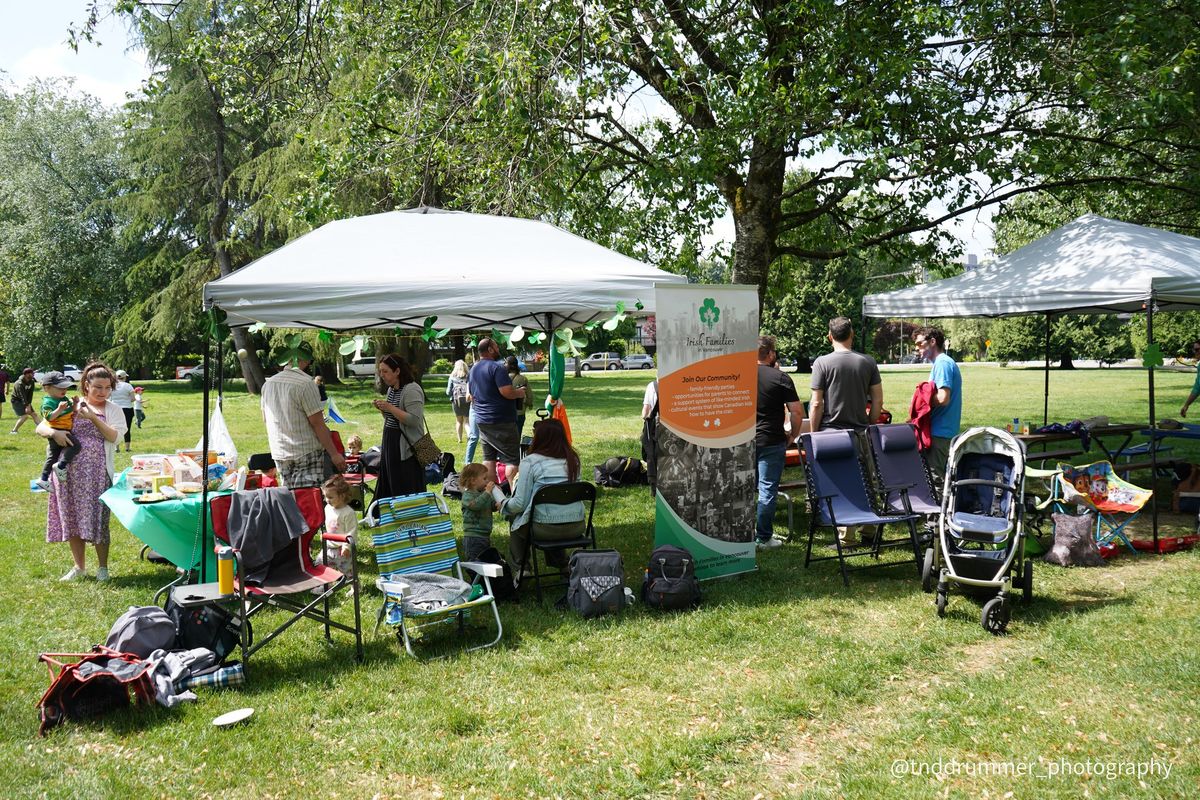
{"x":417,"y":551}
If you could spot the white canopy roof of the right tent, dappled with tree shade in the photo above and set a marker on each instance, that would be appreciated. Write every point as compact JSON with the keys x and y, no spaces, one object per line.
{"x":1090,"y":266}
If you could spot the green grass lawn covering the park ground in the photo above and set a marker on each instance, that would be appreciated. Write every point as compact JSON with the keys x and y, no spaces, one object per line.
{"x":784,"y":684}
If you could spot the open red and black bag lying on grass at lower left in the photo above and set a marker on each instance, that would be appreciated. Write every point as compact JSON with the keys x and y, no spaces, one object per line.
{"x":97,"y":683}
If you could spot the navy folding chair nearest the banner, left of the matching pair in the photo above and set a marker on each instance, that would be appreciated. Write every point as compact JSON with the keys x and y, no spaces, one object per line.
{"x":838,"y":497}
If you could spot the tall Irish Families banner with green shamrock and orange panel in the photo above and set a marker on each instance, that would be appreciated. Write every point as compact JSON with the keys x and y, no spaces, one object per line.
{"x":707,"y":482}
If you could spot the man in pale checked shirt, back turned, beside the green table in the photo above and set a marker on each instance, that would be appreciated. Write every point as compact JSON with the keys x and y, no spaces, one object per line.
{"x":301,"y":442}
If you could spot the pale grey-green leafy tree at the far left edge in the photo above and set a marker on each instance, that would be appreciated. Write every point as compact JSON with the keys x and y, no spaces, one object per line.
{"x":61,"y":261}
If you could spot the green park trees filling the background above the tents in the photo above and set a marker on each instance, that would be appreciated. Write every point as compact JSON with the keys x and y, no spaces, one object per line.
{"x":838,"y":137}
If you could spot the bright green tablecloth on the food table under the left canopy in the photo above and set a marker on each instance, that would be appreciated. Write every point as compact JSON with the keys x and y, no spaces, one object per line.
{"x":171,"y":528}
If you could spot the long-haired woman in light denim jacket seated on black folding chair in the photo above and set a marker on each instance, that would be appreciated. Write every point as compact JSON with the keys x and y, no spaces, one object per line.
{"x":551,"y":460}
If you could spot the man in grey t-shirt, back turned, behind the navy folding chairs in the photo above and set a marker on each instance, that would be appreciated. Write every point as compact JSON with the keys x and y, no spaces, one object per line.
{"x":848,"y":394}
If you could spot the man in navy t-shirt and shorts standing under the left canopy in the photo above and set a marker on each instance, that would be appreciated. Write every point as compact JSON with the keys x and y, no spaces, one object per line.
{"x":493,"y":398}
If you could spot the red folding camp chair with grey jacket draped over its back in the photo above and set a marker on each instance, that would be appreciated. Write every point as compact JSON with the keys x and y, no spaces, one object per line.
{"x":295,"y":585}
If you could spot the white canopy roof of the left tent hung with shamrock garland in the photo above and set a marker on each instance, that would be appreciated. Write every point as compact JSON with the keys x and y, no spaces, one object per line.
{"x":473,"y":272}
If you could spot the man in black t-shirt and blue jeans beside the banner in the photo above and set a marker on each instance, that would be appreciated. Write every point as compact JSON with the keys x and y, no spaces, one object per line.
{"x":777,"y":396}
